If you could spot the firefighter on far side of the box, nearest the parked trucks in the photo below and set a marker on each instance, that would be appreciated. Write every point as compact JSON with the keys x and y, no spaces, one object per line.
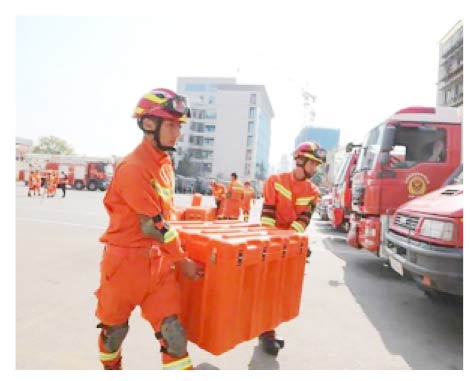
{"x":289,"y":201}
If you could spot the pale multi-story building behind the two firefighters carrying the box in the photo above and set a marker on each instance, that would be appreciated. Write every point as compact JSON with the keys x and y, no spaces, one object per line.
{"x":229,"y":130}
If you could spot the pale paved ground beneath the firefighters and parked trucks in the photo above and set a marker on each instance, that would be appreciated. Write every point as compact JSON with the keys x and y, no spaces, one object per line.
{"x":356,"y":313}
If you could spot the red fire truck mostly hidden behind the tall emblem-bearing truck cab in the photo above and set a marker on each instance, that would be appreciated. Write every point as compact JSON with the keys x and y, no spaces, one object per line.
{"x":340,"y":208}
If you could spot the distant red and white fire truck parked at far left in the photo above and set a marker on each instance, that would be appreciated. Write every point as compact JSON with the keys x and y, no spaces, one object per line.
{"x":82,"y":172}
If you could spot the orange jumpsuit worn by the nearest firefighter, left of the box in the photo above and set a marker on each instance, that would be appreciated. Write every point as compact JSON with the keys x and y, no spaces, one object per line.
{"x":137,"y":269}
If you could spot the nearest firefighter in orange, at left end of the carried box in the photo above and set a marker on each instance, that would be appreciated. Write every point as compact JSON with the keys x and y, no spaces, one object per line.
{"x":142,"y":250}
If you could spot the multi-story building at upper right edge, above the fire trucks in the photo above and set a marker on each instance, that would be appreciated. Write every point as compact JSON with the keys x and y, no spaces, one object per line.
{"x":450,"y":76}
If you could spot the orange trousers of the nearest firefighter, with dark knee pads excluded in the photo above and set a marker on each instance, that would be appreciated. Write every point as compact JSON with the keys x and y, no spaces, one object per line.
{"x":133,"y":277}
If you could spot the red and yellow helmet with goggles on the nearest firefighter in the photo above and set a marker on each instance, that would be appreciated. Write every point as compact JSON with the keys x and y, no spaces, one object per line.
{"x":165,"y":104}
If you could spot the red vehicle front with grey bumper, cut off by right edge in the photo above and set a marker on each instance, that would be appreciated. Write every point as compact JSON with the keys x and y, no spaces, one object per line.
{"x":425,"y":238}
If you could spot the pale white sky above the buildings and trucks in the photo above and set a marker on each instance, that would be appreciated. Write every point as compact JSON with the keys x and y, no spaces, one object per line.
{"x":79,"y":78}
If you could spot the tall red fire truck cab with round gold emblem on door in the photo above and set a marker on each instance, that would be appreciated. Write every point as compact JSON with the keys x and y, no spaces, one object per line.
{"x":398,"y":162}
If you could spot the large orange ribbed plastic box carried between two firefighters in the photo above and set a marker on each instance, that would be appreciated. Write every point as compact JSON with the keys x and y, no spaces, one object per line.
{"x":253,"y":281}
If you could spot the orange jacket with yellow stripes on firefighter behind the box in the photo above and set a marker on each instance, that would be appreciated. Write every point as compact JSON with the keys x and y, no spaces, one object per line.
{"x":288,"y":203}
